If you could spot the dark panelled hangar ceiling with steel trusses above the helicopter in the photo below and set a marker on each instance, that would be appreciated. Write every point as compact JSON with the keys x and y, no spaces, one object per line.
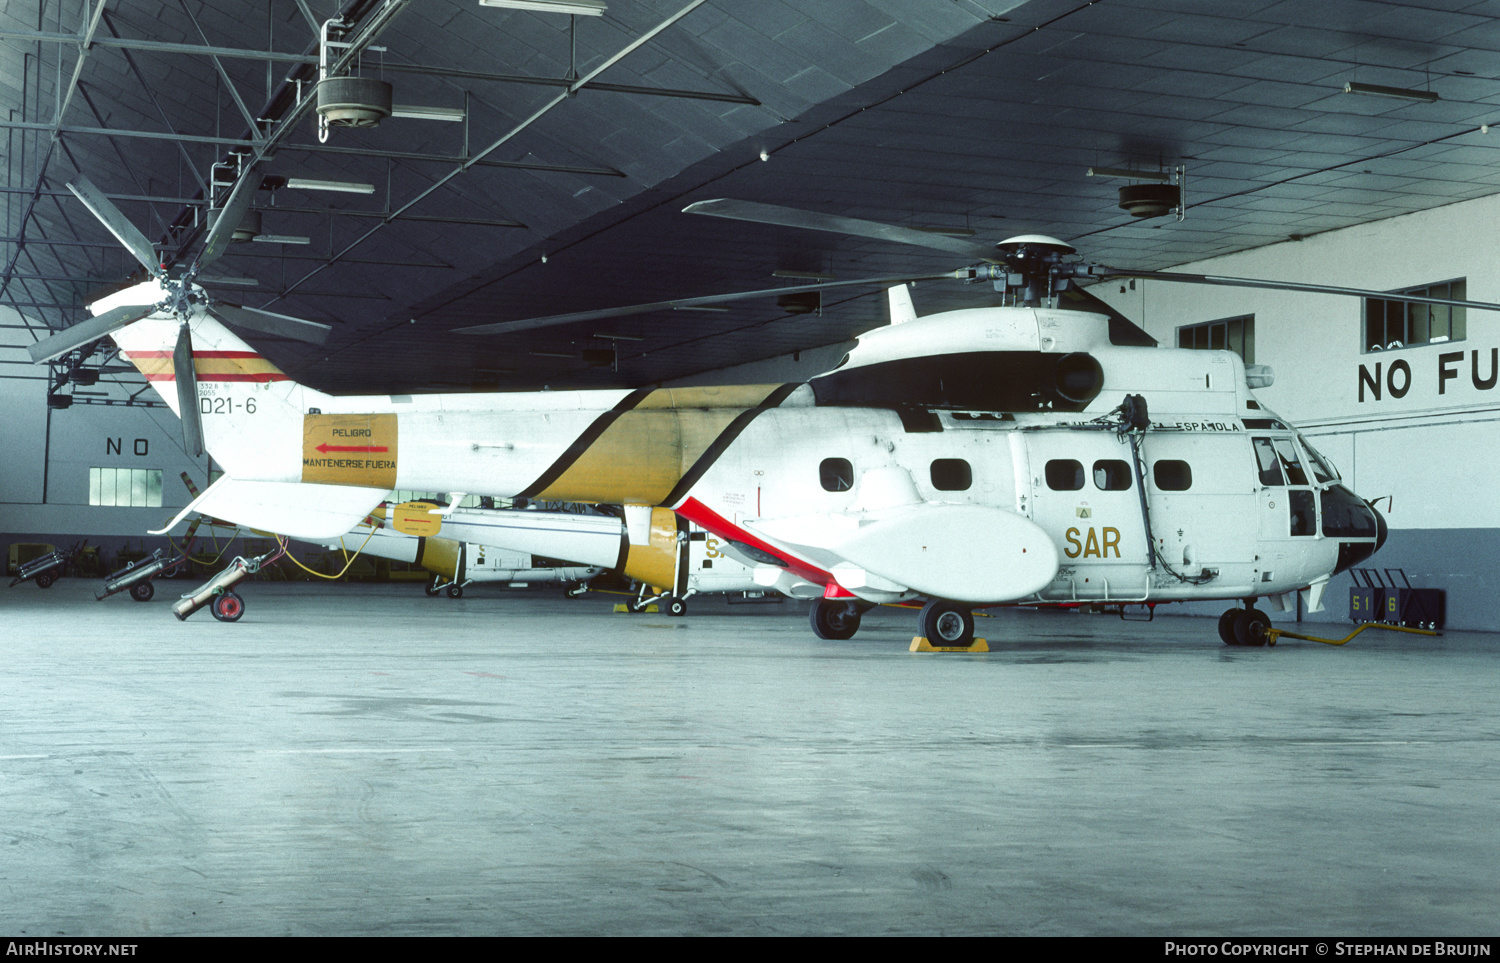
{"x":583,"y":139}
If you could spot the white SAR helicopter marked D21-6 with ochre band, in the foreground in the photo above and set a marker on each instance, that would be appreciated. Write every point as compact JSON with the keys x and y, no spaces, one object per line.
{"x":1018,"y":455}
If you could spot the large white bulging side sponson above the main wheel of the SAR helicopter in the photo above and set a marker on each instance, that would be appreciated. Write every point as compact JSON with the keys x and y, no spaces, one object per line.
{"x":944,"y":551}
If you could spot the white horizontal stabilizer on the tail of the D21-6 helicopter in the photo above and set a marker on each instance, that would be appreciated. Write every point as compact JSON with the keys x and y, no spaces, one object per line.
{"x":313,"y":512}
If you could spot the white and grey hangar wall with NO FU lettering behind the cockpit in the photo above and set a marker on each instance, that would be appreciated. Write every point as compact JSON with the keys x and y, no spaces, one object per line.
{"x":1417,"y":424}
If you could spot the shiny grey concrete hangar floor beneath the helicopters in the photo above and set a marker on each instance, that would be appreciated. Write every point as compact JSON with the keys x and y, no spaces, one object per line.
{"x":368,"y":761}
